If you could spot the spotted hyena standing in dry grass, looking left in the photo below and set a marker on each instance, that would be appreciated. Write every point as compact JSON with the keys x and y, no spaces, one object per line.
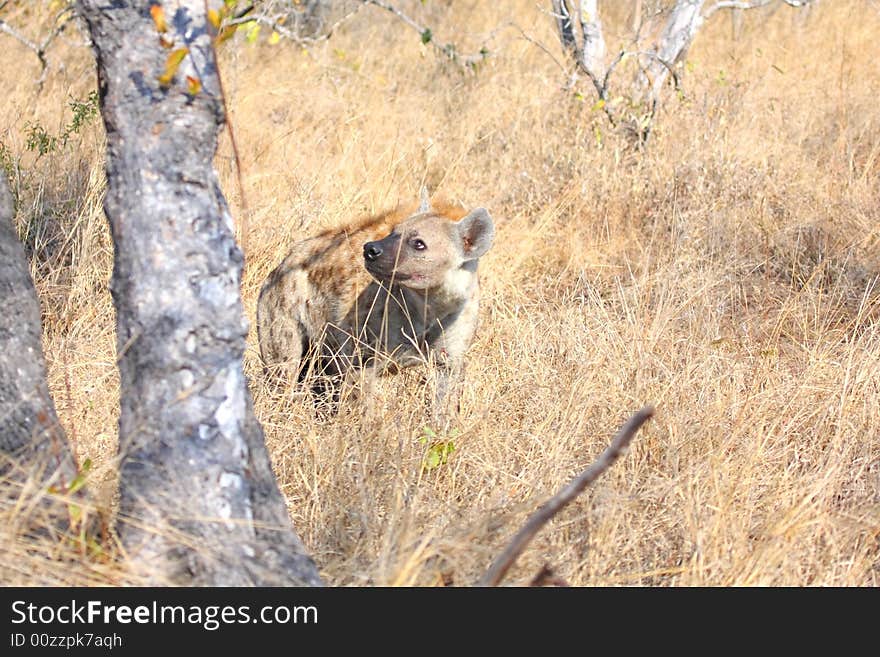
{"x":389,"y":292}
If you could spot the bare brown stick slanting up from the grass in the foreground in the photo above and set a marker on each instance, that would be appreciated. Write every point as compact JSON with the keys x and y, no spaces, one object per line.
{"x":553,"y":506}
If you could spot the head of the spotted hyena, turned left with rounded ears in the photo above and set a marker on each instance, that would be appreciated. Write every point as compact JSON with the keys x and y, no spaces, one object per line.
{"x":426,"y":248}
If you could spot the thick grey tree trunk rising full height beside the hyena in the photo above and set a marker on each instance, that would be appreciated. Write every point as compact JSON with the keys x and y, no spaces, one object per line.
{"x":199,"y":503}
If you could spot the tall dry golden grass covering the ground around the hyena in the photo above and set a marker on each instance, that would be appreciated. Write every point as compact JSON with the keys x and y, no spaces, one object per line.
{"x":727,"y":275}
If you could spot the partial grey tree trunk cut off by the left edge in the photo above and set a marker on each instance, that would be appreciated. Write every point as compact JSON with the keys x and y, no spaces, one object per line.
{"x":32,"y":443}
